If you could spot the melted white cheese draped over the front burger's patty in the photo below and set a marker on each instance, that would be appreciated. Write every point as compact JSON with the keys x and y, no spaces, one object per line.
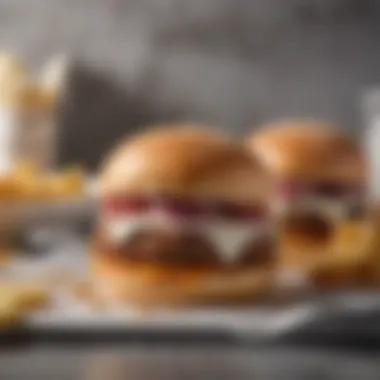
{"x":229,"y":238}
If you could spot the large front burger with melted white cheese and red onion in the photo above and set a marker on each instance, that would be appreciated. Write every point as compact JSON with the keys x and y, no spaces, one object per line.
{"x":183,"y":220}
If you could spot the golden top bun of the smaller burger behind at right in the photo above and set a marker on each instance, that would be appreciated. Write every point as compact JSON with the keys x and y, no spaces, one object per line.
{"x":308,"y":149}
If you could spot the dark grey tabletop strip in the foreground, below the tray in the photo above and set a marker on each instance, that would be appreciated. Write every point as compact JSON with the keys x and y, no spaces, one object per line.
{"x":141,"y":362}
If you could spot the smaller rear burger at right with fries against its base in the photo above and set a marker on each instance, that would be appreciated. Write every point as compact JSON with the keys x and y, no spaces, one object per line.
{"x":319,"y":201}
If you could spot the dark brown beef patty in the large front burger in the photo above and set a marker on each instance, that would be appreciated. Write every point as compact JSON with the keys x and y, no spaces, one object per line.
{"x":186,"y":249}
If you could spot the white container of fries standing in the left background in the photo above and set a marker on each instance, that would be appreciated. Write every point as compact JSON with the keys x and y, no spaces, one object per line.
{"x":28,"y":125}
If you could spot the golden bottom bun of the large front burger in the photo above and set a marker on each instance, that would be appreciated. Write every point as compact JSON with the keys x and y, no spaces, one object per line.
{"x":118,"y":282}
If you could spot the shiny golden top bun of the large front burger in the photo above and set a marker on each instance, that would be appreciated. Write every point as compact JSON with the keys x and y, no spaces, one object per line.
{"x":186,"y":161}
